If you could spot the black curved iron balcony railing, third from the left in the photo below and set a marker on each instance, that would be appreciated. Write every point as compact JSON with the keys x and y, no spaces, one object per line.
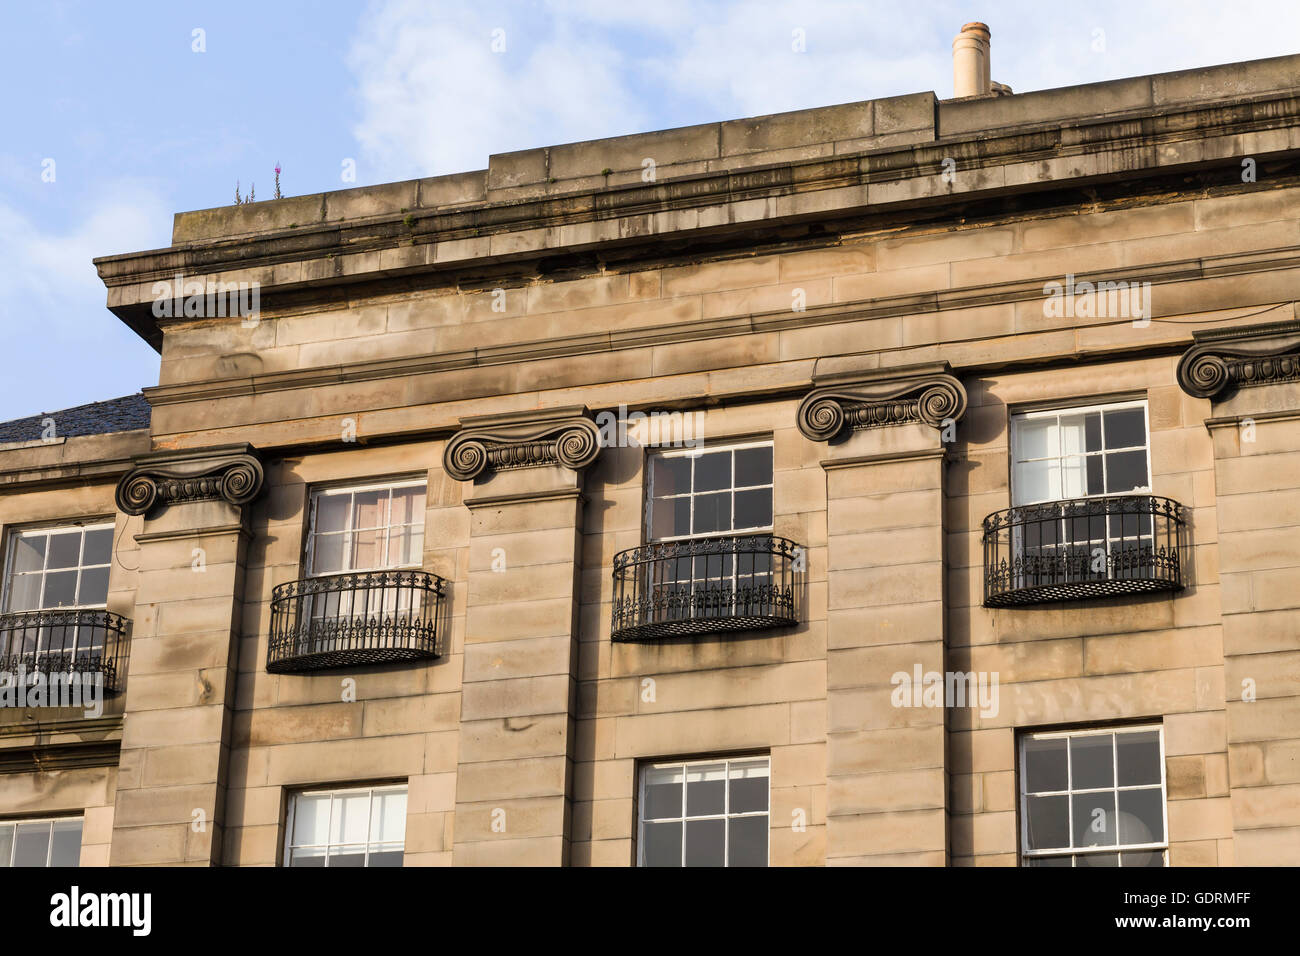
{"x":733,"y":583}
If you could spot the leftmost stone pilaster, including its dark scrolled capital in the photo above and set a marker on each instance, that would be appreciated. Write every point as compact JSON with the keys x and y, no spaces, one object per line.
{"x":181,"y":681}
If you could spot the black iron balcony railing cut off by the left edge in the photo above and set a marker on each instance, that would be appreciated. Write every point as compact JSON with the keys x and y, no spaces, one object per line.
{"x":53,"y":642}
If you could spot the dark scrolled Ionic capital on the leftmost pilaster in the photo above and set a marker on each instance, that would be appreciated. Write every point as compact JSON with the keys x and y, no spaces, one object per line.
{"x":228,"y":473}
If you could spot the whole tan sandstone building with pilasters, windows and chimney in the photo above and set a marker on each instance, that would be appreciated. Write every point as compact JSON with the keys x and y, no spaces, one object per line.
{"x":903,"y":482}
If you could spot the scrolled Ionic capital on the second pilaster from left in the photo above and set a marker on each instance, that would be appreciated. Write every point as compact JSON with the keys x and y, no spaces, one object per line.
{"x":522,"y":440}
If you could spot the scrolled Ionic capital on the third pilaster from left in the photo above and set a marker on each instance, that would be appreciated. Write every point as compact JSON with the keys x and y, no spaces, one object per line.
{"x":831,"y":410}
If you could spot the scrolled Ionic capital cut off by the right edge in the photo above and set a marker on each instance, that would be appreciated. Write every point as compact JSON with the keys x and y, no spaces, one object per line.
{"x":1242,"y":357}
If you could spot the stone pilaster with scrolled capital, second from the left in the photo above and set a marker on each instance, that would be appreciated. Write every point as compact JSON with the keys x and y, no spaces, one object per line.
{"x":514,"y":780}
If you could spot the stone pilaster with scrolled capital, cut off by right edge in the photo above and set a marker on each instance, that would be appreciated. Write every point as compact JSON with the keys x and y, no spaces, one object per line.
{"x":1251,"y":378}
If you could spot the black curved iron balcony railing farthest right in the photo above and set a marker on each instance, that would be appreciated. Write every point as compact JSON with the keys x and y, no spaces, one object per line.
{"x":1069,"y":551}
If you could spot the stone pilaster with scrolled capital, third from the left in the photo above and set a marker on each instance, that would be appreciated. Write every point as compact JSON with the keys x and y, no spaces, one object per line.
{"x":887,"y":785}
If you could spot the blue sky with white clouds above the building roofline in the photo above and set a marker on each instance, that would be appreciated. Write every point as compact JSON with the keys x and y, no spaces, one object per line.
{"x":141,"y":126}
